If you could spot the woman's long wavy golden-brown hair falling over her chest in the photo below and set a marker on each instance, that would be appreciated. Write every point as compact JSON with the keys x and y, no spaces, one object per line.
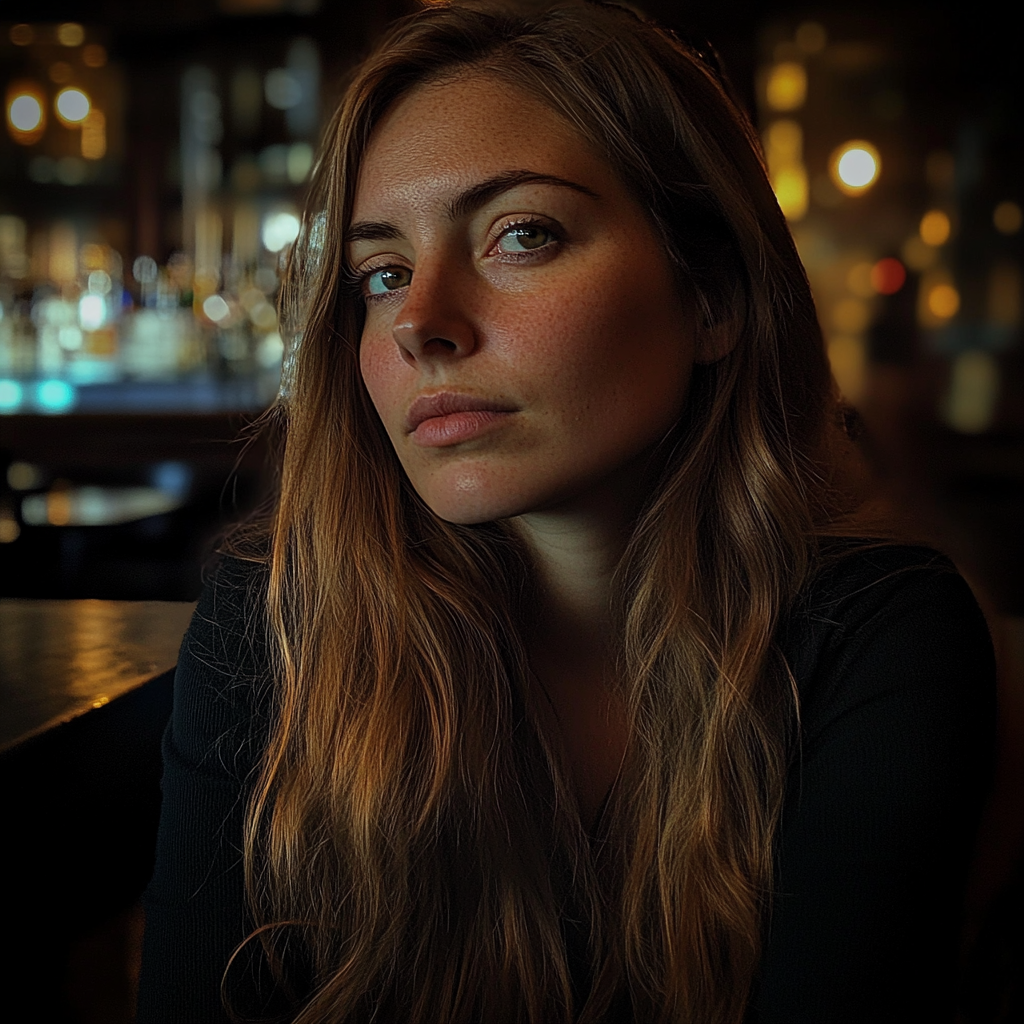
{"x":413,"y":829}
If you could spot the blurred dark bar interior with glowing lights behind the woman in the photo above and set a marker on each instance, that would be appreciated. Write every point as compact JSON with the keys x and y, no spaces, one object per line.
{"x":153,"y":161}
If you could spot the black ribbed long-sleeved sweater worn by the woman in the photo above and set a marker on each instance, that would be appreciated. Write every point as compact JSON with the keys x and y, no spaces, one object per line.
{"x":895,"y":672}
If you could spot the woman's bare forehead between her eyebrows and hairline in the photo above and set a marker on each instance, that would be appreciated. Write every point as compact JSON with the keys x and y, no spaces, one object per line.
{"x":445,"y":137}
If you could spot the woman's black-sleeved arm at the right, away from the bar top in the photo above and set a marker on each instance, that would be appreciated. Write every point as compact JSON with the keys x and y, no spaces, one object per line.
{"x":883,"y":803}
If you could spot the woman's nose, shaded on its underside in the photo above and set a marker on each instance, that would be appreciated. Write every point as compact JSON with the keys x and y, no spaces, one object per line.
{"x":435,"y":322}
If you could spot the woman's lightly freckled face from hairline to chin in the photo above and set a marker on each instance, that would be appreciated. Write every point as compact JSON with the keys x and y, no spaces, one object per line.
{"x":525,"y":340}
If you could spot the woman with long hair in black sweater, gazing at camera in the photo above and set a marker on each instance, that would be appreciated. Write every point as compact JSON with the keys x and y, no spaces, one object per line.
{"x":557,"y":692}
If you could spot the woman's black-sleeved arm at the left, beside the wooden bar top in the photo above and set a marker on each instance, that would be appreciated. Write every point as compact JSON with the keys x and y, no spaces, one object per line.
{"x":195,"y":905}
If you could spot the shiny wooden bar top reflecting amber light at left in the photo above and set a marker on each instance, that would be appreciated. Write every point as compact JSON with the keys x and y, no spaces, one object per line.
{"x":61,"y":659}
